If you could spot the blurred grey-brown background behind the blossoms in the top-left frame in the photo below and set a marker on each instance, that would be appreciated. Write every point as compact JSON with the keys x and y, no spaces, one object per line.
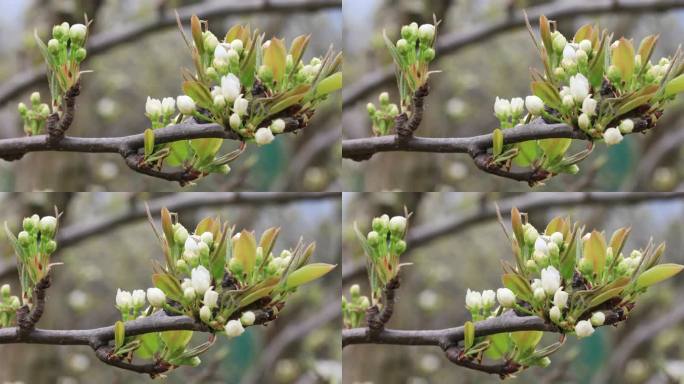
{"x":112,"y":101}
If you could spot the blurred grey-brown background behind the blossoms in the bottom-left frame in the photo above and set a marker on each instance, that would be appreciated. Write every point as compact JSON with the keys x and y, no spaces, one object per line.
{"x":105,"y":243}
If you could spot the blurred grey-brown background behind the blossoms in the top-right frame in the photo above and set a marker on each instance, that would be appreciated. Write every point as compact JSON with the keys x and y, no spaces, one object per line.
{"x":462,"y":96}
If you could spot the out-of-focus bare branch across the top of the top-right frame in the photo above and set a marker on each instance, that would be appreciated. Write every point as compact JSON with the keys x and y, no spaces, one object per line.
{"x":455,"y":41}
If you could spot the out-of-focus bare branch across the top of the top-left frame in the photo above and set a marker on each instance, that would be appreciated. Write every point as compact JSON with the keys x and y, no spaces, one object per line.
{"x":132,"y":32}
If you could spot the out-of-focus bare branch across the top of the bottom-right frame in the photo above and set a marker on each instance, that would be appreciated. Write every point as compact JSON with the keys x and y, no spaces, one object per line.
{"x":530,"y":202}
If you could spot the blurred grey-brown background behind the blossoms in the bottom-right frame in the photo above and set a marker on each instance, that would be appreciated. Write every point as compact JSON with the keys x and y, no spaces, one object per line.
{"x":456,"y":243}
